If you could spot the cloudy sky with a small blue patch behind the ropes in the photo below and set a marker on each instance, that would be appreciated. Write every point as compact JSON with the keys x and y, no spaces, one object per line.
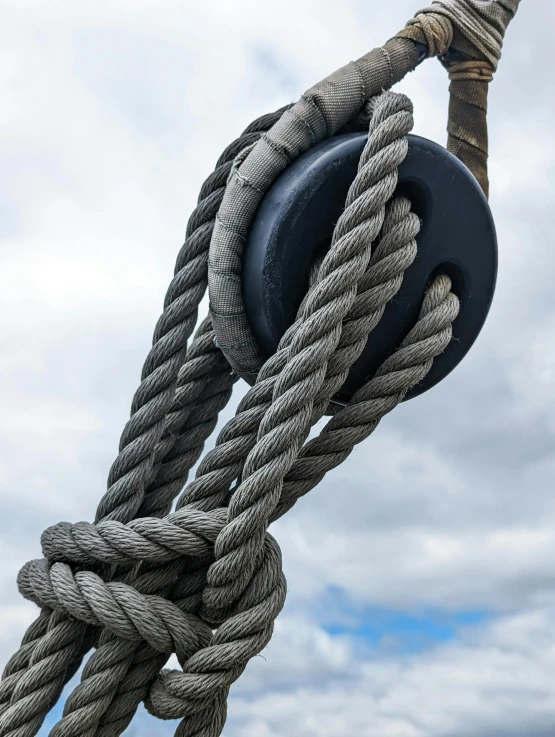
{"x":420,"y":573}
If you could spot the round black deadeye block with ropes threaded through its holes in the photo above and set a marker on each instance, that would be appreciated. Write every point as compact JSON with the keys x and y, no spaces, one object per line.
{"x":295,"y":222}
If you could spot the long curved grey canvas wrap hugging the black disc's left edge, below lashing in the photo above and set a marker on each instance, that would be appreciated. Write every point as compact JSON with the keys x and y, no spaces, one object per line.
{"x":320,"y":113}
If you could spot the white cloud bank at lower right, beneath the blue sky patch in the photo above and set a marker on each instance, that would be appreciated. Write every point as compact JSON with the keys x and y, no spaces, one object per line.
{"x":493,"y":680}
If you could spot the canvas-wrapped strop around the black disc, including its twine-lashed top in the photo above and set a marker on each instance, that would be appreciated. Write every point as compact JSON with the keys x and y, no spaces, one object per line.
{"x":467,"y":36}
